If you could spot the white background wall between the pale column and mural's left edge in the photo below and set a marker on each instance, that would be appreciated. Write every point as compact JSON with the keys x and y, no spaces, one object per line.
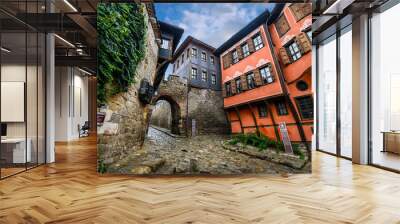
{"x":71,"y":103}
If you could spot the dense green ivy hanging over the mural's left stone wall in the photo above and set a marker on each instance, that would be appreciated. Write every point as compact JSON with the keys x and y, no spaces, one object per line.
{"x":121,"y":46}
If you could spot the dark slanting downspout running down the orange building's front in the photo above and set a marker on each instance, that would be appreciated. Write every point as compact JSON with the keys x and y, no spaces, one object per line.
{"x":284,"y":87}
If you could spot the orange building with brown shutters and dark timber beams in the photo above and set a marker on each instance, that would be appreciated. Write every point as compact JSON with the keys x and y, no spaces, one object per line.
{"x":266,"y":74}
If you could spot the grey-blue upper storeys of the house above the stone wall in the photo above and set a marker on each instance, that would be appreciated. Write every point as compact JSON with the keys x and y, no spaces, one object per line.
{"x":195,"y":61}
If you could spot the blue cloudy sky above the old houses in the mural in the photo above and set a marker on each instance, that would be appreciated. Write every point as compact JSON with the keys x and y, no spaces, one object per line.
{"x":212,"y":23}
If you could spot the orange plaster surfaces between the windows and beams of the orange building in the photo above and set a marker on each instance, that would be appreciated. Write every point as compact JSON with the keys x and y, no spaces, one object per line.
{"x":295,"y":71}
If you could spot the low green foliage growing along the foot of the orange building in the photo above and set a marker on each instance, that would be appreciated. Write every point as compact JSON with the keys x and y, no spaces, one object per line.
{"x":262,"y":142}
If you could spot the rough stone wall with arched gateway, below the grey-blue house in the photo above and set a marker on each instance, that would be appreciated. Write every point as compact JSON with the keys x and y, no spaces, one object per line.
{"x":205,"y":107}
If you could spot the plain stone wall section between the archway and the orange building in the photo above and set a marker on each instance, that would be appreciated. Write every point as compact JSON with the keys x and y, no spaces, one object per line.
{"x":206,"y":108}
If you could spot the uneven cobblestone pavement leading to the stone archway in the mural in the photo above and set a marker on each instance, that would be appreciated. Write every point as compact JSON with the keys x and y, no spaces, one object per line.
{"x":164,"y":154}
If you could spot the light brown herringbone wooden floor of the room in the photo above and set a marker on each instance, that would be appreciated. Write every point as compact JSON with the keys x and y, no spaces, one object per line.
{"x":70,"y":191}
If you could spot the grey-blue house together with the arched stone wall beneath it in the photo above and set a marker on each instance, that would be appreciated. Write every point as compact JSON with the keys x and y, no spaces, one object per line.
{"x":193,"y":93}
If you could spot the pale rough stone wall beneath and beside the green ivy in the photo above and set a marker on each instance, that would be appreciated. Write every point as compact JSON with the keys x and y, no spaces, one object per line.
{"x":126,"y":118}
